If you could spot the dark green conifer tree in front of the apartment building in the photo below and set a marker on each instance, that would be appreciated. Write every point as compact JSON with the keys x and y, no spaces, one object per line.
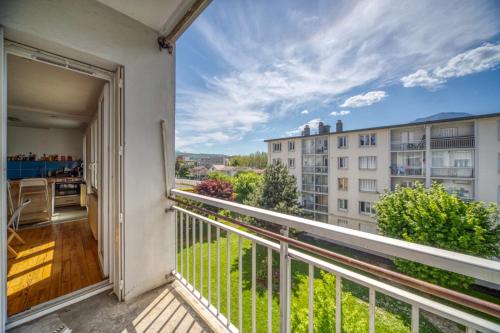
{"x":279,"y":191}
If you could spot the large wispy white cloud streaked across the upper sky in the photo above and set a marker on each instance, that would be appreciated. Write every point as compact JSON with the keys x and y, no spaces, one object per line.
{"x":266,"y":69}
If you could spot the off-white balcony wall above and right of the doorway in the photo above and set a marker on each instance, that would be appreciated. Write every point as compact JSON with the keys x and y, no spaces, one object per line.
{"x":89,"y":30}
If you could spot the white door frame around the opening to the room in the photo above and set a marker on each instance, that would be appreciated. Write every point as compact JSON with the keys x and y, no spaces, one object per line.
{"x":111,"y":186}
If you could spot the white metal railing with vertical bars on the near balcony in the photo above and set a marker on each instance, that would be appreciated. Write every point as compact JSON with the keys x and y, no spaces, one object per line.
{"x":189,"y":224}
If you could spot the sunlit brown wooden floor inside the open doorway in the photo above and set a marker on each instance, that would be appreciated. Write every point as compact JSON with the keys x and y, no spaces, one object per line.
{"x":57,"y":259}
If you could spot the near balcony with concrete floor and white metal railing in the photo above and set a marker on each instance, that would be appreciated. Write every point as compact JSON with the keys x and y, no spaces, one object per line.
{"x":237,"y":277}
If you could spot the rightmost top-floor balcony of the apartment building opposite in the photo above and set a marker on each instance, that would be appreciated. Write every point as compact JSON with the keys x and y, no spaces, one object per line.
{"x":454,"y":136}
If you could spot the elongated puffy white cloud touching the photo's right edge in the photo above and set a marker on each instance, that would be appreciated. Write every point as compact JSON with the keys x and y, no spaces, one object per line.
{"x":471,"y":61}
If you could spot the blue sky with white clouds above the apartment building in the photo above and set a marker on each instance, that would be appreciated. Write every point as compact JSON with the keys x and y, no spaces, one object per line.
{"x":254,"y":70}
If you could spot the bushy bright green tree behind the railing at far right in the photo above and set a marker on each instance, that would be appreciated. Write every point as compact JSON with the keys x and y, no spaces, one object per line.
{"x":436,"y":218}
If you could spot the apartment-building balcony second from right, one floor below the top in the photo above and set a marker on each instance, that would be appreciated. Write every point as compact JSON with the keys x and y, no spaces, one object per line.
{"x":408,"y":164}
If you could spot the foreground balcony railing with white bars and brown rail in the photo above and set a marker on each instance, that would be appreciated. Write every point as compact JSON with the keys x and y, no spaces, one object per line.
{"x":195,"y":229}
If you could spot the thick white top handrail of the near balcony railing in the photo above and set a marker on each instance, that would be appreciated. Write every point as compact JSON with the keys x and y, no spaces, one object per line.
{"x":479,"y":268}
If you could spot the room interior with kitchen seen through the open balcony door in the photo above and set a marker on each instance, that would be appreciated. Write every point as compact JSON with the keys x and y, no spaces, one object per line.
{"x":53,"y":145}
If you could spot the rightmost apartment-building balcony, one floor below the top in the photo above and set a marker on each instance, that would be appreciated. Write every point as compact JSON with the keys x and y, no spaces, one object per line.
{"x":452,"y":164}
